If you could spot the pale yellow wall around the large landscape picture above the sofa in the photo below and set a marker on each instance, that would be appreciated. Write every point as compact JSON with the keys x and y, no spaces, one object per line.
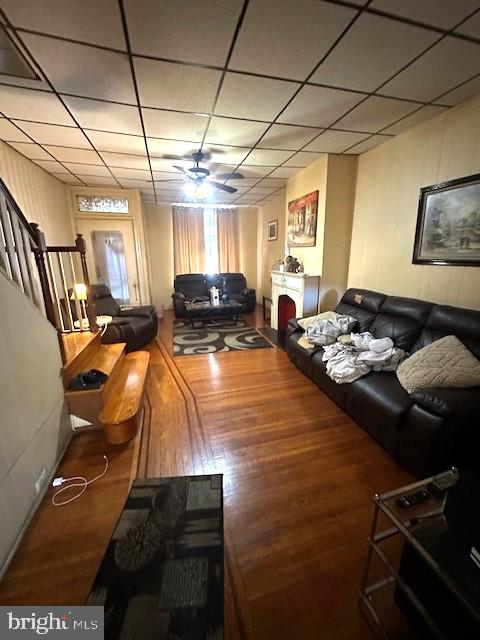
{"x":389,"y":179}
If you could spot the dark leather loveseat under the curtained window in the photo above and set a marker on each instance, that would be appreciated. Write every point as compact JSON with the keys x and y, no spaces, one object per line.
{"x":196,"y":286}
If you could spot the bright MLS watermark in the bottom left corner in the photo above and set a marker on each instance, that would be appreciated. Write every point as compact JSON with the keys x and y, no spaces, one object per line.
{"x":59,"y":622}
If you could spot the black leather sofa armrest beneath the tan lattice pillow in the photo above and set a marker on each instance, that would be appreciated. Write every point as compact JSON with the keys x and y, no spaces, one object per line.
{"x":460,"y":404}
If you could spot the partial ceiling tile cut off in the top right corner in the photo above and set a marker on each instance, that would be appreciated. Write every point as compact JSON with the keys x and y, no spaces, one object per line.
{"x":439,"y":13}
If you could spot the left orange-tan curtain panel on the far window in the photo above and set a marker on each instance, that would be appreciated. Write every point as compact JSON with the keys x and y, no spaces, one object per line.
{"x":188,"y":240}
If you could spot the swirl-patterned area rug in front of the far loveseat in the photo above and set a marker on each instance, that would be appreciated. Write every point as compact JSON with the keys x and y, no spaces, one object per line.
{"x":213,"y":338}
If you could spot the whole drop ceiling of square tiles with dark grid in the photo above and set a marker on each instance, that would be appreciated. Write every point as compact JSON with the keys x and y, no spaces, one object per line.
{"x":127,"y":88}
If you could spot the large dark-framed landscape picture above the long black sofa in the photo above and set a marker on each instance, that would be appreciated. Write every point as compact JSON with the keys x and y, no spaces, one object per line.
{"x":448,"y":223}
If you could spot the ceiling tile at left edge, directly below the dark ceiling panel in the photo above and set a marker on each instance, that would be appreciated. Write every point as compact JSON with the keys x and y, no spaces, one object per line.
{"x":26,"y":104}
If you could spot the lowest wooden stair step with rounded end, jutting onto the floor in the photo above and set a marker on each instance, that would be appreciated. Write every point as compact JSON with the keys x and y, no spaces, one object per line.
{"x":124,"y":397}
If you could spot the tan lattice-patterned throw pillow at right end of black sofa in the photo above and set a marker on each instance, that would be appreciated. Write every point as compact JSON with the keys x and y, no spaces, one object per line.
{"x":444,"y":363}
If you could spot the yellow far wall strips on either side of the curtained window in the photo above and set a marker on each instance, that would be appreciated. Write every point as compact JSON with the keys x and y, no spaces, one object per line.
{"x":159,"y":236}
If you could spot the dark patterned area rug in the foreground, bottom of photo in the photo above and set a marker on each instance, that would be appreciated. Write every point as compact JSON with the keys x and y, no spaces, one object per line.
{"x":162,"y":575}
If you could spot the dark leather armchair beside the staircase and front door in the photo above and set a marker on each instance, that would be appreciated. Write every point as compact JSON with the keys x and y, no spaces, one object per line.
{"x":137,"y":326}
